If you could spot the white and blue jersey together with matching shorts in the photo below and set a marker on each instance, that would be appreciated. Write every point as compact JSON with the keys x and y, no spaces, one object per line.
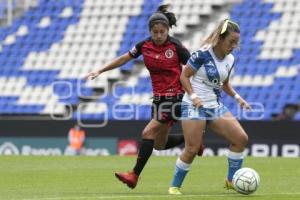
{"x":207,"y":82}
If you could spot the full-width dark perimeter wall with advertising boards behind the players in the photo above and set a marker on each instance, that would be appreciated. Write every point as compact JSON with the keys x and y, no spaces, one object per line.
{"x":266,"y":138}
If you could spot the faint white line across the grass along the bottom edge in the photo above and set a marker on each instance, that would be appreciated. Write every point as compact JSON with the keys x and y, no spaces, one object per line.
{"x":152,"y":196}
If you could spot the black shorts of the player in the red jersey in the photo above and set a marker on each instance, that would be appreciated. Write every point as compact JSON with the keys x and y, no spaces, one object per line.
{"x":166,"y":109}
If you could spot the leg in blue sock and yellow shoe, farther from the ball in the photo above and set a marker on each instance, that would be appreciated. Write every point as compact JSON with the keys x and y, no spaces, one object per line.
{"x":193,"y":130}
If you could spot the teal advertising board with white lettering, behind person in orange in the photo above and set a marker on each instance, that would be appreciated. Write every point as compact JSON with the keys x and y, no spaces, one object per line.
{"x":55,"y":146}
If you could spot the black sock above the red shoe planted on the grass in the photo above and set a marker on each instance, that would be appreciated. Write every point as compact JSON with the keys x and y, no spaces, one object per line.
{"x":143,"y":156}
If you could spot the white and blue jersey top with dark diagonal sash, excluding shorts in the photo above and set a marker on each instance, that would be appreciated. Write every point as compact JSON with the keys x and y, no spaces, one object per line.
{"x":210,"y":73}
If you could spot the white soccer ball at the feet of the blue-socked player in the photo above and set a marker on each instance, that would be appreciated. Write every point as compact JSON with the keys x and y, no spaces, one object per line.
{"x":245,"y":180}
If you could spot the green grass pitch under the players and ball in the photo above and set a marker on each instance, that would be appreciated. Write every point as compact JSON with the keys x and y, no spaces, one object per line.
{"x":92,"y":178}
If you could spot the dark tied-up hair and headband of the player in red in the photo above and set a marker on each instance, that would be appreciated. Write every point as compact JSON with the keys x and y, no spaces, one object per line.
{"x":162,"y":15}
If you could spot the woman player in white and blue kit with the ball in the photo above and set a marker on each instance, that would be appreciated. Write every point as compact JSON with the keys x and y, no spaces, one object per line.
{"x":206,"y":73}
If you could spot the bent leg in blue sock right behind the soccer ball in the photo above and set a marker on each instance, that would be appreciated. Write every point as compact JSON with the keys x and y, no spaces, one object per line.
{"x":229,"y":128}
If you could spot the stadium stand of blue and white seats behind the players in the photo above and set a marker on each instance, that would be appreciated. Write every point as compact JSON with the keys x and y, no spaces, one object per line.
{"x":45,"y":53}
